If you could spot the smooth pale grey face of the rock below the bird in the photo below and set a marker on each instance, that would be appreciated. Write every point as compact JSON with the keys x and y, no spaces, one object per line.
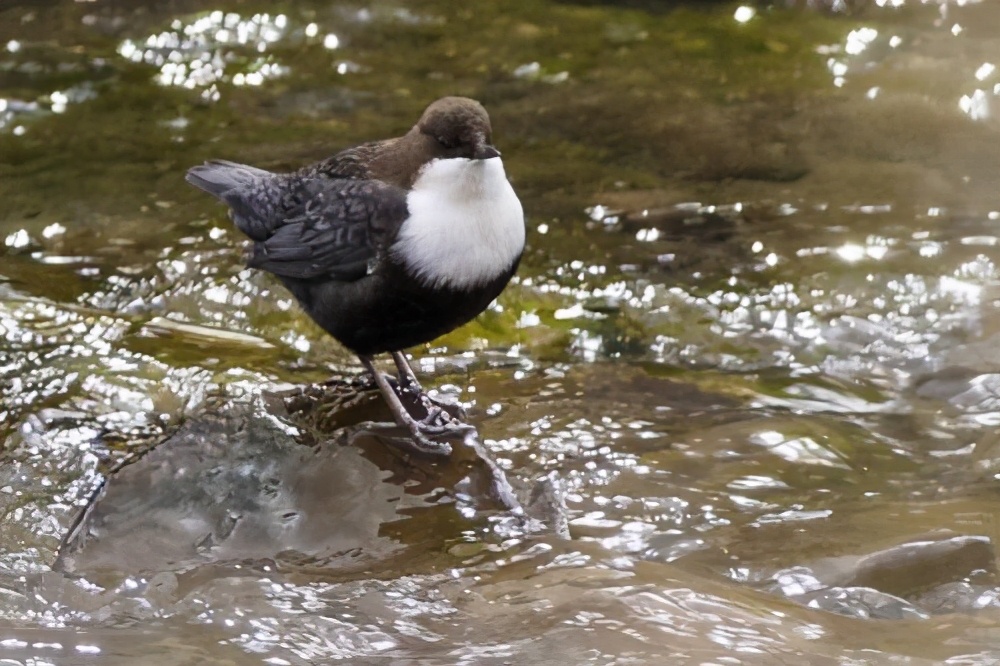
{"x":236,"y":485}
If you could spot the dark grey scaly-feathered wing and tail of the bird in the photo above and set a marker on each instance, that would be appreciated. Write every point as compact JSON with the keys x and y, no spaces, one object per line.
{"x":307,"y":227}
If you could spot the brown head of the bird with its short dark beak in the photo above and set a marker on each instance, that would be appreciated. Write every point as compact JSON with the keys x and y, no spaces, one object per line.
{"x":458,"y":127}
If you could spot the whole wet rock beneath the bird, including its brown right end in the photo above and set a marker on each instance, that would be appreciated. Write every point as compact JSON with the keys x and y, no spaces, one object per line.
{"x":241,"y":484}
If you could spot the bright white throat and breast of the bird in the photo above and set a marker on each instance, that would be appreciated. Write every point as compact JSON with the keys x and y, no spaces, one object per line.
{"x":466,"y":225}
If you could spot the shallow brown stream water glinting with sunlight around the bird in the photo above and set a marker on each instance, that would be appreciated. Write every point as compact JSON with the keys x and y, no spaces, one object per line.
{"x":752,"y":340}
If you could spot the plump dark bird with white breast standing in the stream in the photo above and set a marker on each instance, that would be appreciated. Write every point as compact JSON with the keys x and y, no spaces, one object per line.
{"x":389,"y":244}
